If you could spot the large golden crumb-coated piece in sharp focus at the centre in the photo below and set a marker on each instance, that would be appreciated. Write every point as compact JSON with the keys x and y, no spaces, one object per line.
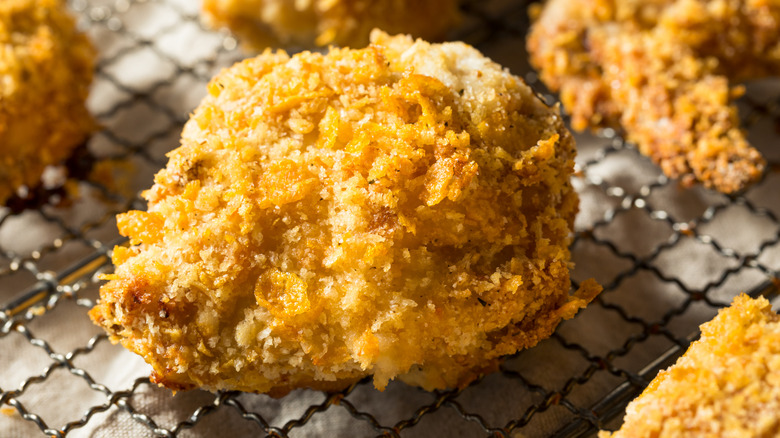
{"x":403,"y":210}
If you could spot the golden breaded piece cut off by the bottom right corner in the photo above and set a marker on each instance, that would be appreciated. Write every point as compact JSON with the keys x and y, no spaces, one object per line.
{"x":726,"y":385}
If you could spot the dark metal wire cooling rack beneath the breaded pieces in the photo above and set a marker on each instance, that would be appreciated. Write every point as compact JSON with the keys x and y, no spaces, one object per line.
{"x":668,"y":257}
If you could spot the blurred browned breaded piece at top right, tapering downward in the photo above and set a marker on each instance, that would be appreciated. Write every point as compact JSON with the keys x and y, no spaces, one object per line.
{"x":663,"y":71}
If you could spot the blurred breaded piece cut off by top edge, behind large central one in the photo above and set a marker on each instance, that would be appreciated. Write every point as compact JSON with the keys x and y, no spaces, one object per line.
{"x":261,"y":23}
